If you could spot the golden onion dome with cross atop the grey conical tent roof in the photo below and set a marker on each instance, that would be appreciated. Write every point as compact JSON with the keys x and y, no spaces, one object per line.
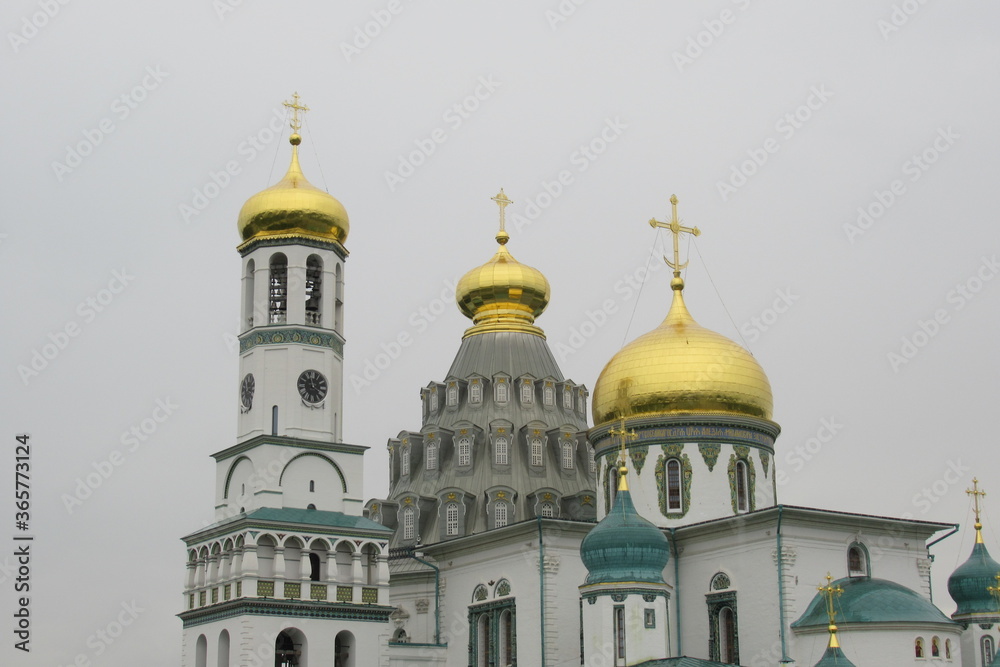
{"x":502,"y":294}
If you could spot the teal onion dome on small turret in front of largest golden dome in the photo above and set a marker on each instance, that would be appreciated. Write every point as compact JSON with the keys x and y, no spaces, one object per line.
{"x":623,"y":546}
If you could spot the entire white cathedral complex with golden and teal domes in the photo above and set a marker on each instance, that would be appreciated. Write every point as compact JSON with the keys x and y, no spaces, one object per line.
{"x":515,"y":532}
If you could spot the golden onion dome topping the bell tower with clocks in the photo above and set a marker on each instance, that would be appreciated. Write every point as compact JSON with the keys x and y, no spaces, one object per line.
{"x":294,"y":207}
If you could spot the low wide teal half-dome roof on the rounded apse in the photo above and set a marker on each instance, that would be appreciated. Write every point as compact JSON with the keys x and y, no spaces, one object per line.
{"x":867,"y":600}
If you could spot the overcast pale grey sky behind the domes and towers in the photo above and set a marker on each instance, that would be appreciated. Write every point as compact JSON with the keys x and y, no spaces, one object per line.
{"x":839,"y":158}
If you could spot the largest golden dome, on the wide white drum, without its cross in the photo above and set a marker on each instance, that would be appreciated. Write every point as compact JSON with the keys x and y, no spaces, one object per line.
{"x":681,"y":367}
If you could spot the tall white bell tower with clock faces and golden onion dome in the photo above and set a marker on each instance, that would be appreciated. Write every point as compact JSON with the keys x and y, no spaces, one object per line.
{"x":290,"y":573}
